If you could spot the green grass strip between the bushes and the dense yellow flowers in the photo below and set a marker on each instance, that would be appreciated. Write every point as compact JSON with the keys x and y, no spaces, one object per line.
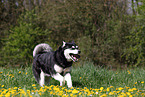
{"x":87,"y":75}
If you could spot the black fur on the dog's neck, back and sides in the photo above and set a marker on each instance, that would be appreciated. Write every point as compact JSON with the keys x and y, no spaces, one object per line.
{"x":46,"y":61}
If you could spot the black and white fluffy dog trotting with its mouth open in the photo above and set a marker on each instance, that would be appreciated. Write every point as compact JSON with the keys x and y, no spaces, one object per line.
{"x":56,"y":64}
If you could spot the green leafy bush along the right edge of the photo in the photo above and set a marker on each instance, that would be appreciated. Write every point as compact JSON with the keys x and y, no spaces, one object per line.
{"x":135,"y":53}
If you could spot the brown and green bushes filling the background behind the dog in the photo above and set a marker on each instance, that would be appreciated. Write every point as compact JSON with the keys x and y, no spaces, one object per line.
{"x":103,"y":29}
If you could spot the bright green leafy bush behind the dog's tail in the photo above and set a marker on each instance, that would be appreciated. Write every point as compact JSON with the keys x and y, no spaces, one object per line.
{"x":20,"y":43}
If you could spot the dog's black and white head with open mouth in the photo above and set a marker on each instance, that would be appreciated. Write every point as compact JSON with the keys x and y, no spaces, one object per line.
{"x":71,"y":51}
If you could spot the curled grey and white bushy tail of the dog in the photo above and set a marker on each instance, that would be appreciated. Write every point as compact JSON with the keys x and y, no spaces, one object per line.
{"x":41,"y":48}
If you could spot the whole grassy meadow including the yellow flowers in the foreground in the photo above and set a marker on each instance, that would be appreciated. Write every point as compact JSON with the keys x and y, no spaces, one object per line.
{"x":88,"y":80}
